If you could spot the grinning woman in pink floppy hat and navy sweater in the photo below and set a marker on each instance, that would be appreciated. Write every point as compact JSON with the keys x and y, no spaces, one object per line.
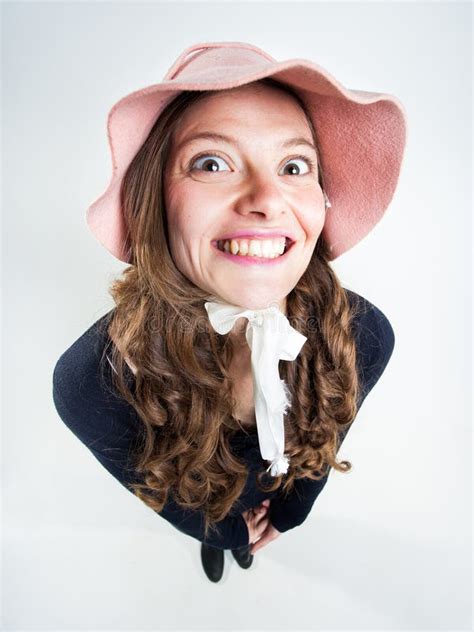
{"x":235,"y":182}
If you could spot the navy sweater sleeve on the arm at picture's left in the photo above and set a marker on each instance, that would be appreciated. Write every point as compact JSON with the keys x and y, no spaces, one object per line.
{"x":109,"y":427}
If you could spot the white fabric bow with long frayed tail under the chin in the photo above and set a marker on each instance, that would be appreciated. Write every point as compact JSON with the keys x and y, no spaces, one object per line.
{"x":270,"y":338}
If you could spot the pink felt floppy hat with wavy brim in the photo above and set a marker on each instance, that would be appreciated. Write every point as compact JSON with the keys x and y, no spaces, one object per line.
{"x":361,"y":136}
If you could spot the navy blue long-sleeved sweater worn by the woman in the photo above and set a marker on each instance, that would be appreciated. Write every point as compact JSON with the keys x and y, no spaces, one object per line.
{"x":109,"y":427}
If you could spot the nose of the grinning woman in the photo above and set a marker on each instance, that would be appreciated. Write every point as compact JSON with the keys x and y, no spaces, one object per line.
{"x":261,"y":195}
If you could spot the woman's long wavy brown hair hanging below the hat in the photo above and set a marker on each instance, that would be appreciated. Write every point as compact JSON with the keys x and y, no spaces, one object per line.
{"x":181,"y":387}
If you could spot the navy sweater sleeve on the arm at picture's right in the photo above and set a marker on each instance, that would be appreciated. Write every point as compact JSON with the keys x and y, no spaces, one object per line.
{"x":375,"y":340}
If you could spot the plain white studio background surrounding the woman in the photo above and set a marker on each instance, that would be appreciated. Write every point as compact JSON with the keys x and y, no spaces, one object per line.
{"x":387,"y":546}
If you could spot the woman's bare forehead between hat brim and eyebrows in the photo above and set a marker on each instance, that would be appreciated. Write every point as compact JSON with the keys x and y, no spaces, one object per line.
{"x":251,"y":109}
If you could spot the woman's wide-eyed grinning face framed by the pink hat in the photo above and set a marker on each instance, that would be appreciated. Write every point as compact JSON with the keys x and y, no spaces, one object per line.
{"x":256,"y":182}
